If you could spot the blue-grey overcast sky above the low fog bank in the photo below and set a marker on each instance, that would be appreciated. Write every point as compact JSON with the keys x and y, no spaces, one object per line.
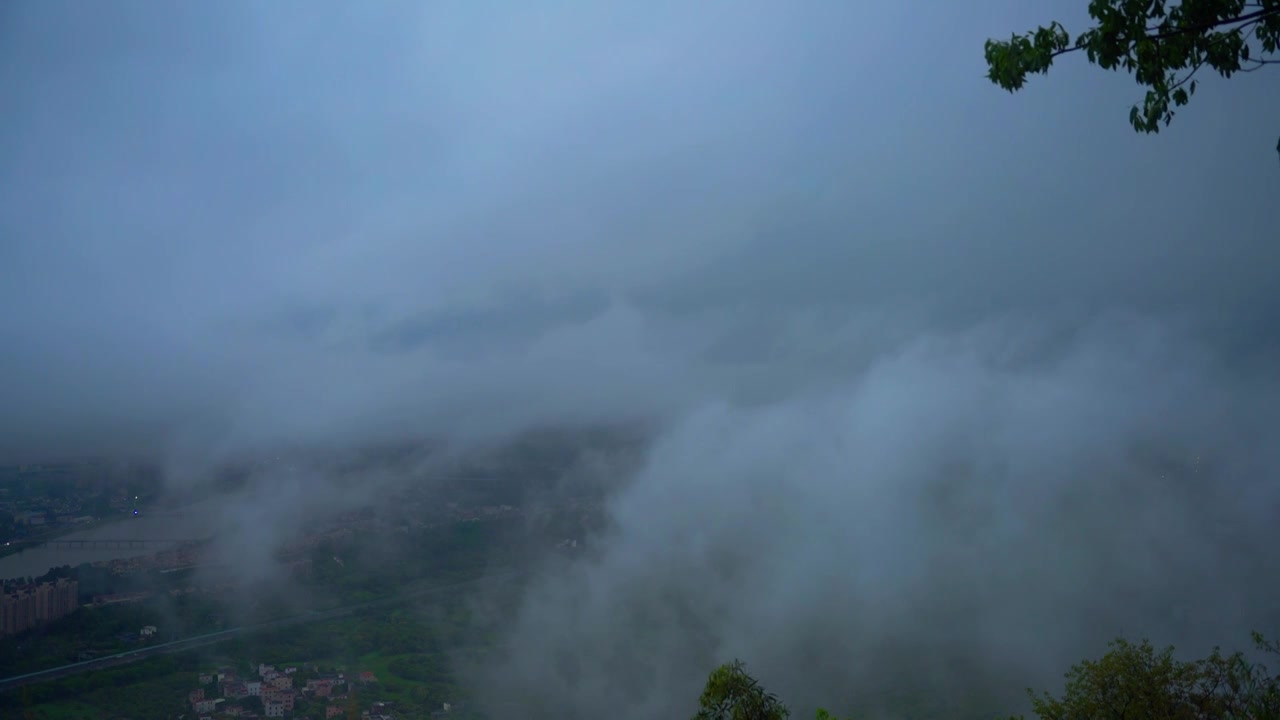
{"x":245,"y":221}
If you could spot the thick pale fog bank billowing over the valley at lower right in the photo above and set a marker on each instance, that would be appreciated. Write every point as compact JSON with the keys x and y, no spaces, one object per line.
{"x":952,"y":526}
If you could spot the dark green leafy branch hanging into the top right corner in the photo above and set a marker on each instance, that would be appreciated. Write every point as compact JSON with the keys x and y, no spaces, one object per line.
{"x":1163,"y":44}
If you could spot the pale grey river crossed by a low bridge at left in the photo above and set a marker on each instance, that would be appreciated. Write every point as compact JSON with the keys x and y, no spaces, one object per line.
{"x":193,"y":525}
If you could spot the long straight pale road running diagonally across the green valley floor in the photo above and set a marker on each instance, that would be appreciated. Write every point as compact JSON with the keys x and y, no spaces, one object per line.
{"x":222,"y":636}
